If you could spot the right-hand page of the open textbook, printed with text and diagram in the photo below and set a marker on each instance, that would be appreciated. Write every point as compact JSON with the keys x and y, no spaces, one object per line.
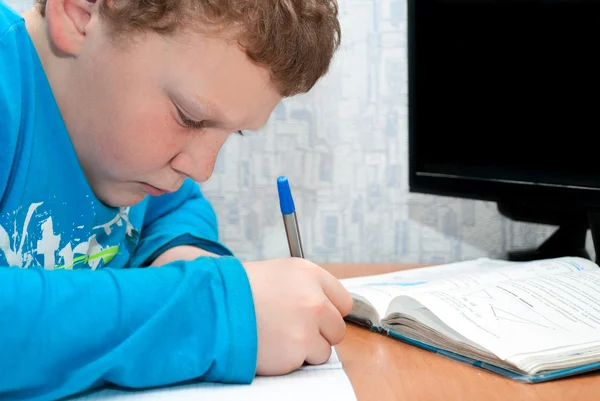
{"x":523,"y":316}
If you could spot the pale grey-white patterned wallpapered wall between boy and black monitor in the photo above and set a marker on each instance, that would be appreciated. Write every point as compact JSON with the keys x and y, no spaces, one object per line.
{"x":344,"y":148}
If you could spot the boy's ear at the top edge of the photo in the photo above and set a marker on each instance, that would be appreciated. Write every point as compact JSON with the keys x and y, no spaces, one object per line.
{"x":67,"y":22}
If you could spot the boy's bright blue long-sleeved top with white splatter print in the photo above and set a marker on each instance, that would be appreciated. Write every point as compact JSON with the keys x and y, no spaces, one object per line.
{"x":78,"y":307}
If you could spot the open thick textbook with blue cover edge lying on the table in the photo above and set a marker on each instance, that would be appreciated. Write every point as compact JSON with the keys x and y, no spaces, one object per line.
{"x":530,"y":321}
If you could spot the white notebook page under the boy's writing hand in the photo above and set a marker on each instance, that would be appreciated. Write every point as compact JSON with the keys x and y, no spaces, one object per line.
{"x":309,"y":383}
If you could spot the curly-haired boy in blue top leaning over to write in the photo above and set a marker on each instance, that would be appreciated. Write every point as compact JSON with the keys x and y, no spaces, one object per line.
{"x":112,"y":270}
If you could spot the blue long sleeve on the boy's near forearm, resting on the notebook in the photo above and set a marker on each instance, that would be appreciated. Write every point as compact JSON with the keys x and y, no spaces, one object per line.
{"x":64,"y":332}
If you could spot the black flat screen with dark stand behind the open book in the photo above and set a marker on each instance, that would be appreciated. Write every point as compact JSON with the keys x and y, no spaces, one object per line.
{"x":504,"y":106}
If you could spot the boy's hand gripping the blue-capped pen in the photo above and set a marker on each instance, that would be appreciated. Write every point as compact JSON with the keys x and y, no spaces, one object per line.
{"x":299,"y":311}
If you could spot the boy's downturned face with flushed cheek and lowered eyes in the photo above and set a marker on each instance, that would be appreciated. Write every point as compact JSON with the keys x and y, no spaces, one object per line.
{"x":144,"y":116}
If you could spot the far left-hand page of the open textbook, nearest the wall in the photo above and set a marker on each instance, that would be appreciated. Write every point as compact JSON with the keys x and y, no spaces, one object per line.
{"x":380,"y":290}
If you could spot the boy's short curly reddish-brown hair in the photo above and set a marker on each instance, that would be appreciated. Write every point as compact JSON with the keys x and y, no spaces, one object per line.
{"x":294,"y":39}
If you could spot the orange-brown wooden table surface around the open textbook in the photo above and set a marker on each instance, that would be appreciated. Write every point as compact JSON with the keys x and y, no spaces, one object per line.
{"x":383,"y":369}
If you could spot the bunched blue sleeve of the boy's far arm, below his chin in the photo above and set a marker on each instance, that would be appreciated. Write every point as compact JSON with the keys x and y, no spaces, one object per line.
{"x":184,"y":217}
